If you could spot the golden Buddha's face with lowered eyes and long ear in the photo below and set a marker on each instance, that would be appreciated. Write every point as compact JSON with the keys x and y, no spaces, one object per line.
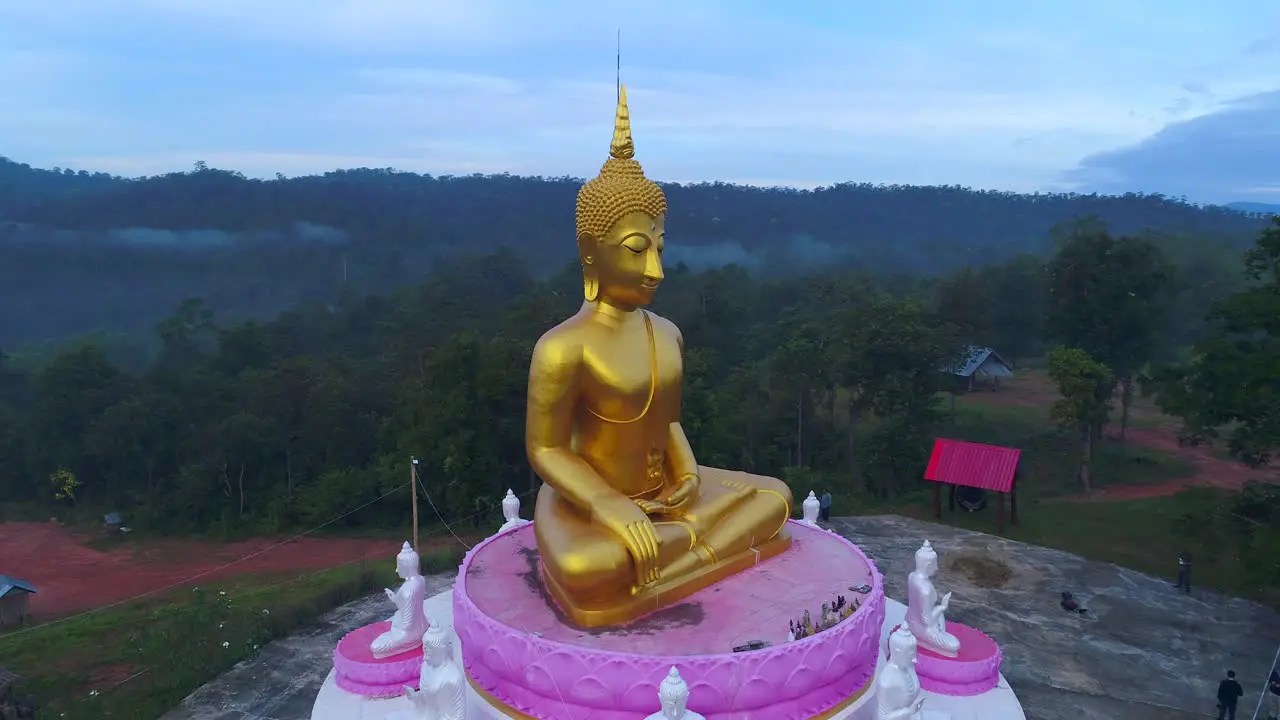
{"x":628,"y":261}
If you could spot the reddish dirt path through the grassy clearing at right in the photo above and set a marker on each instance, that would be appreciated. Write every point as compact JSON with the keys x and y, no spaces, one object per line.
{"x":1150,"y":429}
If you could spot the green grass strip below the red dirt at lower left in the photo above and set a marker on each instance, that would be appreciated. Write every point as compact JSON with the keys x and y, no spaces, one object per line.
{"x":144,"y":658}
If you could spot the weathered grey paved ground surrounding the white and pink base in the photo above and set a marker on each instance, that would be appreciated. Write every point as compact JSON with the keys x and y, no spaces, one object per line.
{"x":1060,"y":671}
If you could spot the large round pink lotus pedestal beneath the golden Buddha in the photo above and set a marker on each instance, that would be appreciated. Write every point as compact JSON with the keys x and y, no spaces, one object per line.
{"x":523,"y":655}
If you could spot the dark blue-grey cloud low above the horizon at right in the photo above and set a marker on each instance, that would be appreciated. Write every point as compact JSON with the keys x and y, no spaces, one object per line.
{"x":1227,"y":156}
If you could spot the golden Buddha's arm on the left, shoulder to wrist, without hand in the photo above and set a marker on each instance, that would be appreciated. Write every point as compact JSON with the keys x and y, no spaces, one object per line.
{"x":554,"y":377}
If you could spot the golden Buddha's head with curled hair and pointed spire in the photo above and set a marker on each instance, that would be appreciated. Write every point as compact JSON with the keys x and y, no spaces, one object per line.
{"x":621,"y":225}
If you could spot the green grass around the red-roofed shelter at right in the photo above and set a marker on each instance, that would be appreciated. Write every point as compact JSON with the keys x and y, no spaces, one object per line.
{"x":1233,"y":555}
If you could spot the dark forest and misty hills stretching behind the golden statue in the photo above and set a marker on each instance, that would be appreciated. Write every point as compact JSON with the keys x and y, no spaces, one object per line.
{"x":204,"y":352}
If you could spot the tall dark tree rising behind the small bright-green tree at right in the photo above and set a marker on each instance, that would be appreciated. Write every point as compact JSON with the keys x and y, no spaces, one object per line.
{"x":1108,"y":297}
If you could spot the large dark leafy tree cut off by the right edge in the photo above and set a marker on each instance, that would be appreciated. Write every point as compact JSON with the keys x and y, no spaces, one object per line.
{"x":1232,"y":388}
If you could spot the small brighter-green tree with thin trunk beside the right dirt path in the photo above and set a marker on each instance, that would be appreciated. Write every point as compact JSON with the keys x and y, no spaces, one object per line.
{"x":1085,"y":388}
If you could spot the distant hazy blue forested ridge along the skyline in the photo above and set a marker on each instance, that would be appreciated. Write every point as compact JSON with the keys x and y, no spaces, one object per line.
{"x":92,"y":252}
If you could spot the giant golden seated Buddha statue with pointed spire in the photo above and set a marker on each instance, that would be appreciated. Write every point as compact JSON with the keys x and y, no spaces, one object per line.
{"x":627,"y":521}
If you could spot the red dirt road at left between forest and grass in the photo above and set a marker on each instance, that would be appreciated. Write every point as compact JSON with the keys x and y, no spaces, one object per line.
{"x":72,"y":577}
